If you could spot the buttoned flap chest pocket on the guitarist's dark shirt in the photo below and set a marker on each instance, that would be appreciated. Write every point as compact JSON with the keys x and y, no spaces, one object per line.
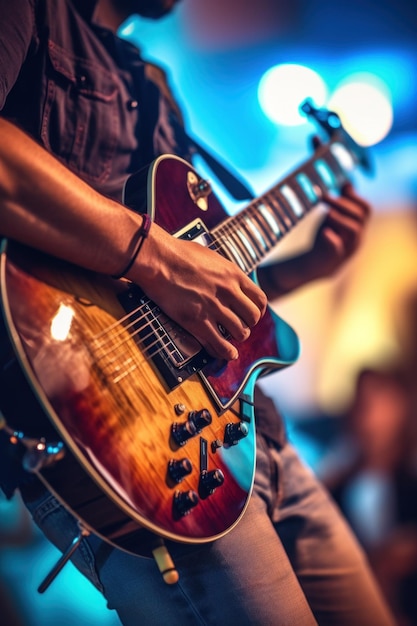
{"x":80,"y":119}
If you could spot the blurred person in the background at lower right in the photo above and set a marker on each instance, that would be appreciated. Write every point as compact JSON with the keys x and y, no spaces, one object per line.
{"x":373,"y":478}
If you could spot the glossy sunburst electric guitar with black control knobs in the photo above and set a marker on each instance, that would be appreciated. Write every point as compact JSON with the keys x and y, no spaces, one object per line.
{"x":117,"y":409}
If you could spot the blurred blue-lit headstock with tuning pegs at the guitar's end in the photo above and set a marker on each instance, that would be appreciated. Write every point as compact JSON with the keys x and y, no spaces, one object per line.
{"x":330,"y":122}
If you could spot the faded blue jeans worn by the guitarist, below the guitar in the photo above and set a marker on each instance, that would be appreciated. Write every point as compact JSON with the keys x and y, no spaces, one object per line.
{"x":290,"y":561}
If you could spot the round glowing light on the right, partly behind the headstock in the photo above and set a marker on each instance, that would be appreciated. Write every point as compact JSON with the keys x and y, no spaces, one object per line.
{"x":364,"y":105}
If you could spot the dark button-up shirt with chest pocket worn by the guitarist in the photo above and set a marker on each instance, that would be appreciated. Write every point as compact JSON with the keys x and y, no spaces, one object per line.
{"x":83,"y":93}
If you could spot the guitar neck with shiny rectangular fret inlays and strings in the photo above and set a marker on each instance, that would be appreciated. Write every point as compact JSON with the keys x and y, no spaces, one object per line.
{"x":248,"y":237}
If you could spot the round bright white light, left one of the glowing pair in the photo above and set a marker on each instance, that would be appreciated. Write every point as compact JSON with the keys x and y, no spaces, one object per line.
{"x":284,"y":87}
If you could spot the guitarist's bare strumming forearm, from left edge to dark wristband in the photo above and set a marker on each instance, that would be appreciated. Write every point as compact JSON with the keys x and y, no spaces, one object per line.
{"x":44,"y":205}
